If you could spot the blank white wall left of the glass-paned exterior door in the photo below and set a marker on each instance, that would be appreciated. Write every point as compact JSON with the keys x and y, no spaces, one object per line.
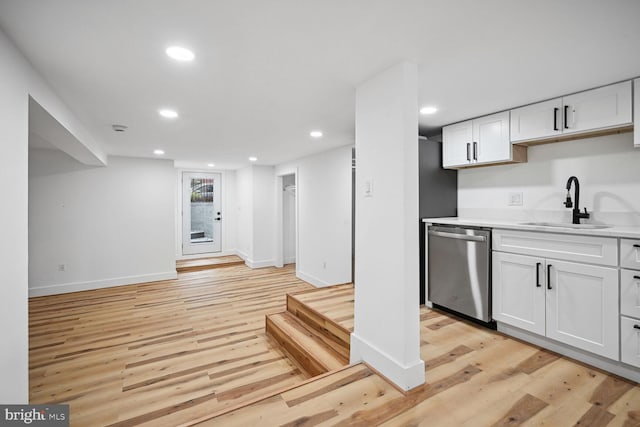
{"x":109,"y":225}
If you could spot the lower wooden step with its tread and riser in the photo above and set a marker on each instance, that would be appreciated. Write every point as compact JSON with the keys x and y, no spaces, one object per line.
{"x":310,"y":350}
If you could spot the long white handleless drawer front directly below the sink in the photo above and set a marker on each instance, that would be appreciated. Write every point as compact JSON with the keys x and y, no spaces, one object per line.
{"x":568,"y":247}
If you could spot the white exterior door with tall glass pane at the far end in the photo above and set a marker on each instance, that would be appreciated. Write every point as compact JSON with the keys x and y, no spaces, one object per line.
{"x":201,"y":213}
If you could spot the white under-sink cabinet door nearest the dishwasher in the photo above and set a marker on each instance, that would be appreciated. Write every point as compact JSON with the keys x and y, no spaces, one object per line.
{"x":518,"y":291}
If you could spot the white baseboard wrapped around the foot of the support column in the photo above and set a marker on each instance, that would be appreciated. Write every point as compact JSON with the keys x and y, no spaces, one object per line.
{"x":406,"y":377}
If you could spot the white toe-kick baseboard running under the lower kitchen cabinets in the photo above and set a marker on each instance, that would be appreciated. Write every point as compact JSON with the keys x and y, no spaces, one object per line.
{"x":609,"y":365}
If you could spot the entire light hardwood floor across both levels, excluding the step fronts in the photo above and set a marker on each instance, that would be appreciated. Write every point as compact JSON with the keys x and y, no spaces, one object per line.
{"x":169,"y":353}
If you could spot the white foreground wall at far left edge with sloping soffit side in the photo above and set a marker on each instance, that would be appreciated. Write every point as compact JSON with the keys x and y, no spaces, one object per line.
{"x":17,"y":81}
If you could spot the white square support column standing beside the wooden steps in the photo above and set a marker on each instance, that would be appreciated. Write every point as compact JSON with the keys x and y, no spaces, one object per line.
{"x":387,"y":314}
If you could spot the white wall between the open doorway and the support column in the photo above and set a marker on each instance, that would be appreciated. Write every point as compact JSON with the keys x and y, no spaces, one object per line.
{"x":323,"y":190}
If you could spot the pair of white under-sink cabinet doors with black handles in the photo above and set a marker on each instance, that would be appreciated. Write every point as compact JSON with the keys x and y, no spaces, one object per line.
{"x":573,"y":303}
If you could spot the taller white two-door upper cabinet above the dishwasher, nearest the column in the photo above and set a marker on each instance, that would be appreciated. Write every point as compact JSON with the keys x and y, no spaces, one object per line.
{"x":477,"y":141}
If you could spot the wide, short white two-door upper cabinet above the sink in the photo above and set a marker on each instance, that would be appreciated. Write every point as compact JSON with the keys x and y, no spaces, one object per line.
{"x":597,"y":109}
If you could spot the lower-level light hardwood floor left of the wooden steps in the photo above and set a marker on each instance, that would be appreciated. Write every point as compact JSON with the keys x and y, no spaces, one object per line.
{"x":160,"y":353}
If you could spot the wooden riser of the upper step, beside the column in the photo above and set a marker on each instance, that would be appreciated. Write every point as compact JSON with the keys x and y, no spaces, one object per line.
{"x":336,"y":336}
